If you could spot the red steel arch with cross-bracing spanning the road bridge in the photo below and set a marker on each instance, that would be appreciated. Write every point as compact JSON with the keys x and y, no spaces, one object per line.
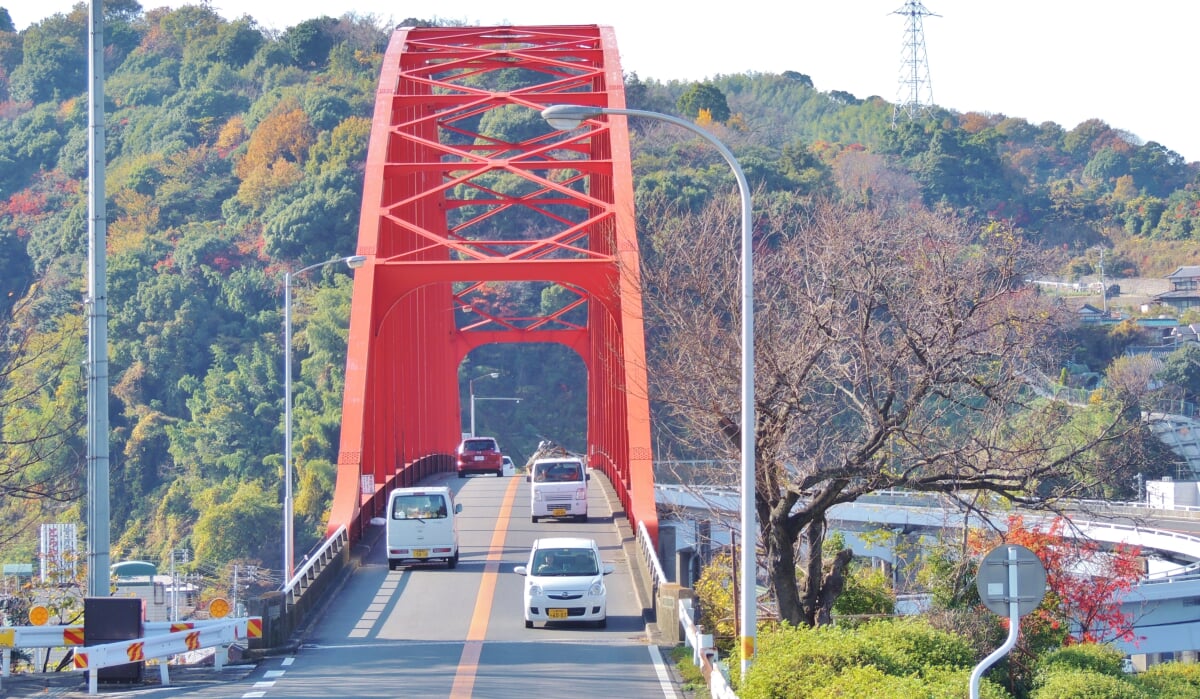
{"x":453,"y":160}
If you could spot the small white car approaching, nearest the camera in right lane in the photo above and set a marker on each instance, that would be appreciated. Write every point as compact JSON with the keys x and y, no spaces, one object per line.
{"x":565,"y":582}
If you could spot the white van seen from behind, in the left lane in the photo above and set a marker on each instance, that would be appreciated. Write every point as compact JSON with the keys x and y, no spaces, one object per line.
{"x":423,"y":527}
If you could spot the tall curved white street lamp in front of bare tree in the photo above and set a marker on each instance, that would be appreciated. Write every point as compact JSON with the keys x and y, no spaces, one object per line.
{"x":567,"y":117}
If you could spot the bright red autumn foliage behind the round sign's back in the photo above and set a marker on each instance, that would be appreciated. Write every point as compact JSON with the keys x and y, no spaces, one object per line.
{"x":1085,"y":582}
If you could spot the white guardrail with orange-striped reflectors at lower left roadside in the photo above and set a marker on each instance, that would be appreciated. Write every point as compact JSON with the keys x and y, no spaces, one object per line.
{"x":164,"y":640}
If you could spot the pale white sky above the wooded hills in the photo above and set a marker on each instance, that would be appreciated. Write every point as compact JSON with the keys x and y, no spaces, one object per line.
{"x":1133,"y":65}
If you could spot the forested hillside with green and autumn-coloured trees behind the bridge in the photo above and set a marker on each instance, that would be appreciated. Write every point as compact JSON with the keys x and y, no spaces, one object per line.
{"x":236,"y":154}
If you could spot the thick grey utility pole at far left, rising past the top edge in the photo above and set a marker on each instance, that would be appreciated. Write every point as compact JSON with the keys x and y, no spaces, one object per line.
{"x":98,"y":320}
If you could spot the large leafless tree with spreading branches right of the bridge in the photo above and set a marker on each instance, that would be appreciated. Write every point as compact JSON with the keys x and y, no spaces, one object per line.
{"x":893,"y":350}
